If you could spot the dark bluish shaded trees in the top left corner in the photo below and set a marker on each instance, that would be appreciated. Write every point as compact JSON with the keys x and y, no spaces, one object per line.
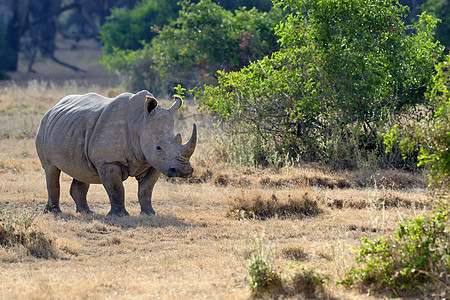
{"x":35,"y":24}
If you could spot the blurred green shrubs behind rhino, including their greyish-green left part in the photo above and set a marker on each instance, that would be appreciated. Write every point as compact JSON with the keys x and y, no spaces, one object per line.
{"x":204,"y":38}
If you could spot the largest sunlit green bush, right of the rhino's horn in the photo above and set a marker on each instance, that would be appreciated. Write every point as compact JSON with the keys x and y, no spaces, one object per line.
{"x":345,"y":69}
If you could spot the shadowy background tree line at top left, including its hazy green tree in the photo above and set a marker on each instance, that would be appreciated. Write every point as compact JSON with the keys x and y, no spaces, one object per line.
{"x":31,"y":26}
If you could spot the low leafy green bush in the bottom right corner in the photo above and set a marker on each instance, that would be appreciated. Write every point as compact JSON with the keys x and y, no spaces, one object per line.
{"x":419,"y":252}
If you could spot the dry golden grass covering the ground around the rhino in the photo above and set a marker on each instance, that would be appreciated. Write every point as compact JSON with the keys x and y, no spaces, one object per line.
{"x":195,"y":248}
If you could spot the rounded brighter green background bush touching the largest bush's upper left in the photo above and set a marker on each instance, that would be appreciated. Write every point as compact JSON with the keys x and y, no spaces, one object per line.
{"x":207,"y":38}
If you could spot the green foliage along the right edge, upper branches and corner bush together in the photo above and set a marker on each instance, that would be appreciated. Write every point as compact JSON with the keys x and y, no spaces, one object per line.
{"x":419,"y":253}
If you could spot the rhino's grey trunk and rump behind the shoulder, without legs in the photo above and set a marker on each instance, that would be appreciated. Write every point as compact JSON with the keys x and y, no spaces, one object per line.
{"x":78,"y":127}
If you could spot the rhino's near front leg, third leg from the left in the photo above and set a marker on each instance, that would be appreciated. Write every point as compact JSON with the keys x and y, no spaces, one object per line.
{"x":111,"y":177}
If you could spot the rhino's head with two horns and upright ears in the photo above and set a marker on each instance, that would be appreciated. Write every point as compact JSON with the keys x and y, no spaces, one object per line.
{"x":161,"y":147}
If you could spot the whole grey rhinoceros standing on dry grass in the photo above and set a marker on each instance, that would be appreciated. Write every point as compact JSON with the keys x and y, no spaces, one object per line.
{"x":100,"y":140}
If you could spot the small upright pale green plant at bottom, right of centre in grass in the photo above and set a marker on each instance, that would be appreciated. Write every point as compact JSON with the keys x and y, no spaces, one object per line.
{"x":263,"y":277}
